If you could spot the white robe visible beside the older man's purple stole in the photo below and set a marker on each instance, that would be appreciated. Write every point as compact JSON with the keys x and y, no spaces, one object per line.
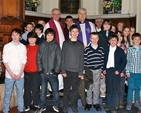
{"x":82,"y":27}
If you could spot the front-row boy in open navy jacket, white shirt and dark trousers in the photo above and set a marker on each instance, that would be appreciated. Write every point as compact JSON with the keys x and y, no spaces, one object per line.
{"x":114,"y":64}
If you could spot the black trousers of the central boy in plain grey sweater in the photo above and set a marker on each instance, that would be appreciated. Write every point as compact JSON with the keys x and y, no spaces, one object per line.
{"x":71,"y":83}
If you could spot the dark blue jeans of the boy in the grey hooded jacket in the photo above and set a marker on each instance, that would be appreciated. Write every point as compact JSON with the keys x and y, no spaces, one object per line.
{"x":53,"y":80}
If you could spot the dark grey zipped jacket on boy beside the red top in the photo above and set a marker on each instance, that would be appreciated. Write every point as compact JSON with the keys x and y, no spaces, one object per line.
{"x":49,"y":57}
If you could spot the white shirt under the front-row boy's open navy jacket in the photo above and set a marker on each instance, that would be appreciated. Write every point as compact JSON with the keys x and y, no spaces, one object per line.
{"x":111,"y":61}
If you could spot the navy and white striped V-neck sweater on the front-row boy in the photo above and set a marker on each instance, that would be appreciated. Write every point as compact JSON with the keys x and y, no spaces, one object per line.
{"x":94,"y":58}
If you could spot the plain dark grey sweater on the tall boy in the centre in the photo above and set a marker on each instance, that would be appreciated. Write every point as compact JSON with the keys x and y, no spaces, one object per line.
{"x":72,"y":56}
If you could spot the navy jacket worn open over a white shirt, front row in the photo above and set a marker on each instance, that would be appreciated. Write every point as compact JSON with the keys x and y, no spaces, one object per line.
{"x":119,"y":57}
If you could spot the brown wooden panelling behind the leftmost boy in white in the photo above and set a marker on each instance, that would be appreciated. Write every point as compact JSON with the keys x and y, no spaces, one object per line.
{"x":11,"y":16}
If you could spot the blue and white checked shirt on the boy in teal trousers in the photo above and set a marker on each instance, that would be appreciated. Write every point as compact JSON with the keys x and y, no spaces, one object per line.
{"x":133,"y":60}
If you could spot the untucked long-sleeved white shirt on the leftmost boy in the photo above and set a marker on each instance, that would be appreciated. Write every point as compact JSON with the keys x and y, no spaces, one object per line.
{"x":15,"y":56}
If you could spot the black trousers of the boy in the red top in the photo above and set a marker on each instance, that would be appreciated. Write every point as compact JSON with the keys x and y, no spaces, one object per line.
{"x":31,"y":88}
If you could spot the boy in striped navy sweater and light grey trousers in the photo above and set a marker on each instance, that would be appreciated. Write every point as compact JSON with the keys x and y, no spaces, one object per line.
{"x":94,"y":60}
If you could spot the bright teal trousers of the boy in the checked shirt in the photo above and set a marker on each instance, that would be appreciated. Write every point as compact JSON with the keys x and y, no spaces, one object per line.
{"x":134,"y":82}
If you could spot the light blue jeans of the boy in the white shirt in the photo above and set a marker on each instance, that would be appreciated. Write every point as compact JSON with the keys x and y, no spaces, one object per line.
{"x":9,"y":83}
